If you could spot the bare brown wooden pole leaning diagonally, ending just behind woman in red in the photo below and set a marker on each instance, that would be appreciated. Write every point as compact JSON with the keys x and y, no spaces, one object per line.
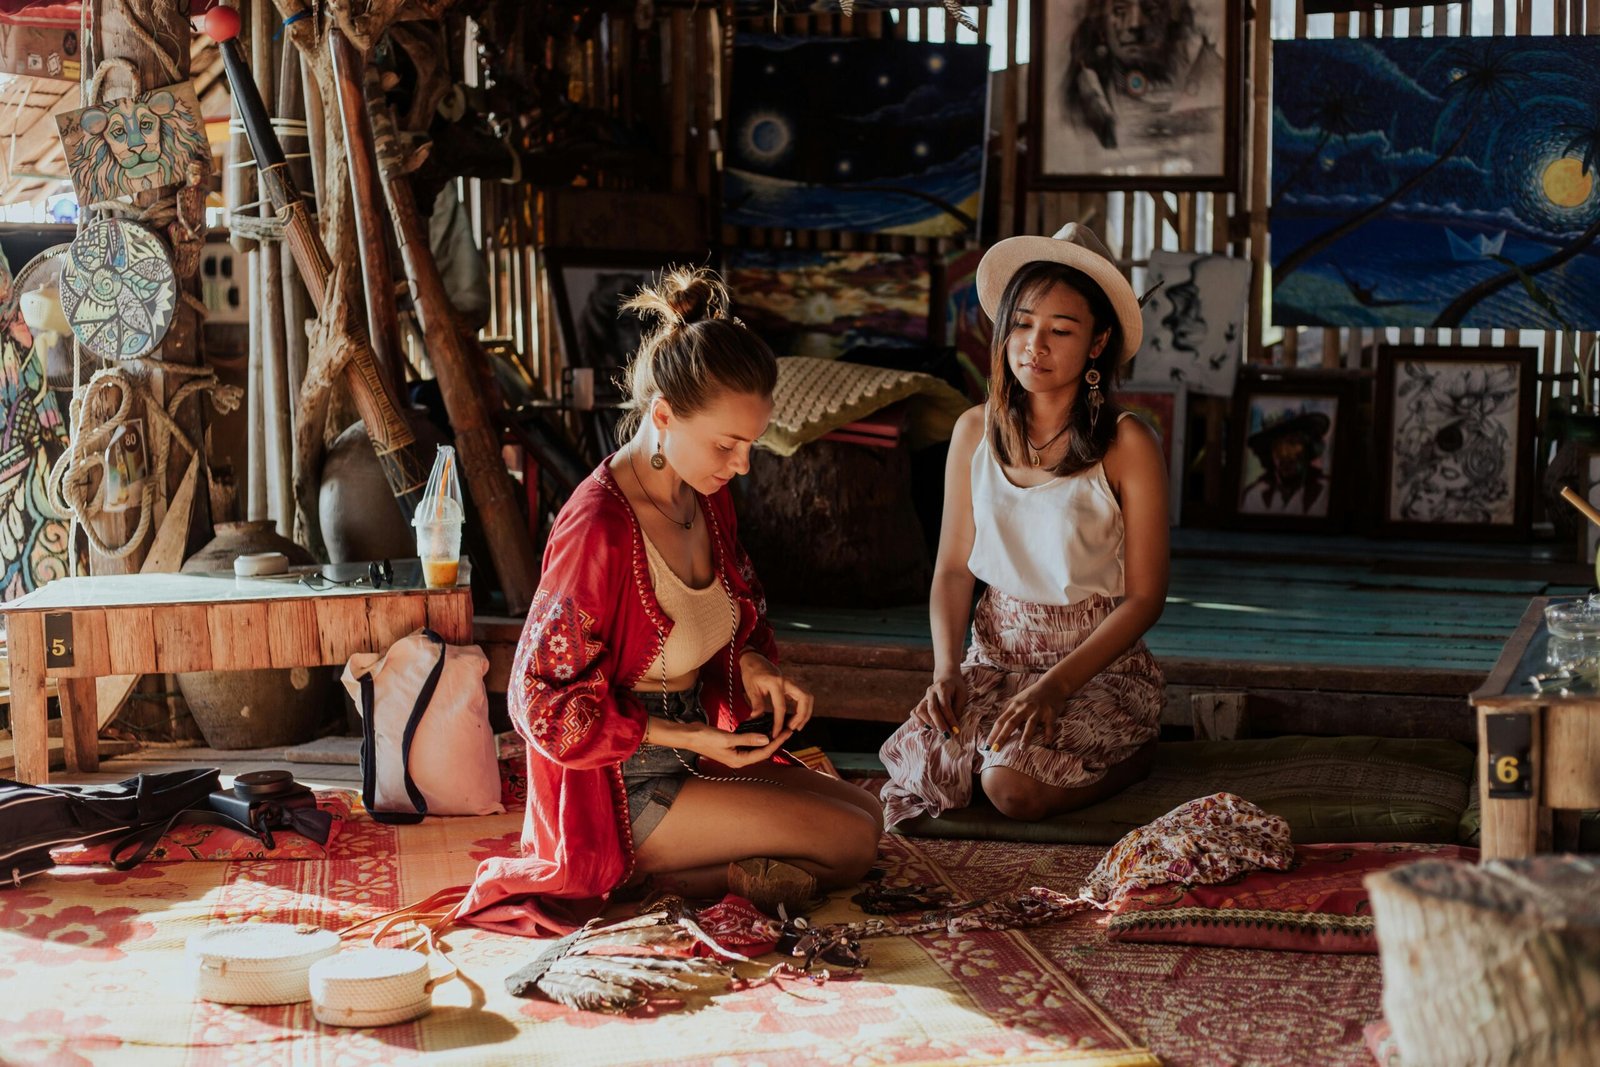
{"x":478,"y":441}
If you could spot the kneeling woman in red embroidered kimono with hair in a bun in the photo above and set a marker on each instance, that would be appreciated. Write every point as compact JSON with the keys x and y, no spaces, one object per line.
{"x":647,"y":644}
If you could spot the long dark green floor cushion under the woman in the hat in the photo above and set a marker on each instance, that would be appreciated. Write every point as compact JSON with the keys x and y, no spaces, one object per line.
{"x":1329,"y":789}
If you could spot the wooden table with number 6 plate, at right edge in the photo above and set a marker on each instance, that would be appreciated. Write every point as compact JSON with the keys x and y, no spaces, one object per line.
{"x":1538,"y":740}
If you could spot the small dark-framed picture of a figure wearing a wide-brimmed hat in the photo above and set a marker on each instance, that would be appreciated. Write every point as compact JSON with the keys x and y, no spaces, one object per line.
{"x":1289,"y":460}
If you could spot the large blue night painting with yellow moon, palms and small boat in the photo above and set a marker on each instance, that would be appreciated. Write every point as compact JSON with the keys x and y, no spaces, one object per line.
{"x":1442,"y":182}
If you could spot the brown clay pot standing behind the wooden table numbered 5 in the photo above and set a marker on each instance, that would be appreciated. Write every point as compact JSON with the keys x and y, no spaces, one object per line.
{"x":255,"y":709}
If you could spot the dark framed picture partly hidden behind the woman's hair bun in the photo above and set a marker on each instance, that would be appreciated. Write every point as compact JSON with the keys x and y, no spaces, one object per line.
{"x":590,"y":290}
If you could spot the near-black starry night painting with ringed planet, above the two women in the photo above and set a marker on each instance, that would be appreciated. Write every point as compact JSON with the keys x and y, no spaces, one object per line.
{"x":858,"y":135}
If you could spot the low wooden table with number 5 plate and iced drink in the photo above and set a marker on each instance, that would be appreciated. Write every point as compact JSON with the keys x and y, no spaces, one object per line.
{"x":79,"y":629}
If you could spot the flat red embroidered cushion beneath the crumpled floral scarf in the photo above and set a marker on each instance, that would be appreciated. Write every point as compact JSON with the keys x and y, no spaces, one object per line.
{"x":1318,"y":905}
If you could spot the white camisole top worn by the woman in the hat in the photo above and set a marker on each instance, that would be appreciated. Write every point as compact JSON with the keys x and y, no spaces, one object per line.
{"x":1055,"y":543}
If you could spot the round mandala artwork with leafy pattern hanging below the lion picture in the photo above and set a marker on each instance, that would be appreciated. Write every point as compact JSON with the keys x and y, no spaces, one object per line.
{"x":119,"y":290}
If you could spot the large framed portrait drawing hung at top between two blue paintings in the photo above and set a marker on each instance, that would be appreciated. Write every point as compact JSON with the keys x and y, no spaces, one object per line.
{"x":1137,"y":95}
